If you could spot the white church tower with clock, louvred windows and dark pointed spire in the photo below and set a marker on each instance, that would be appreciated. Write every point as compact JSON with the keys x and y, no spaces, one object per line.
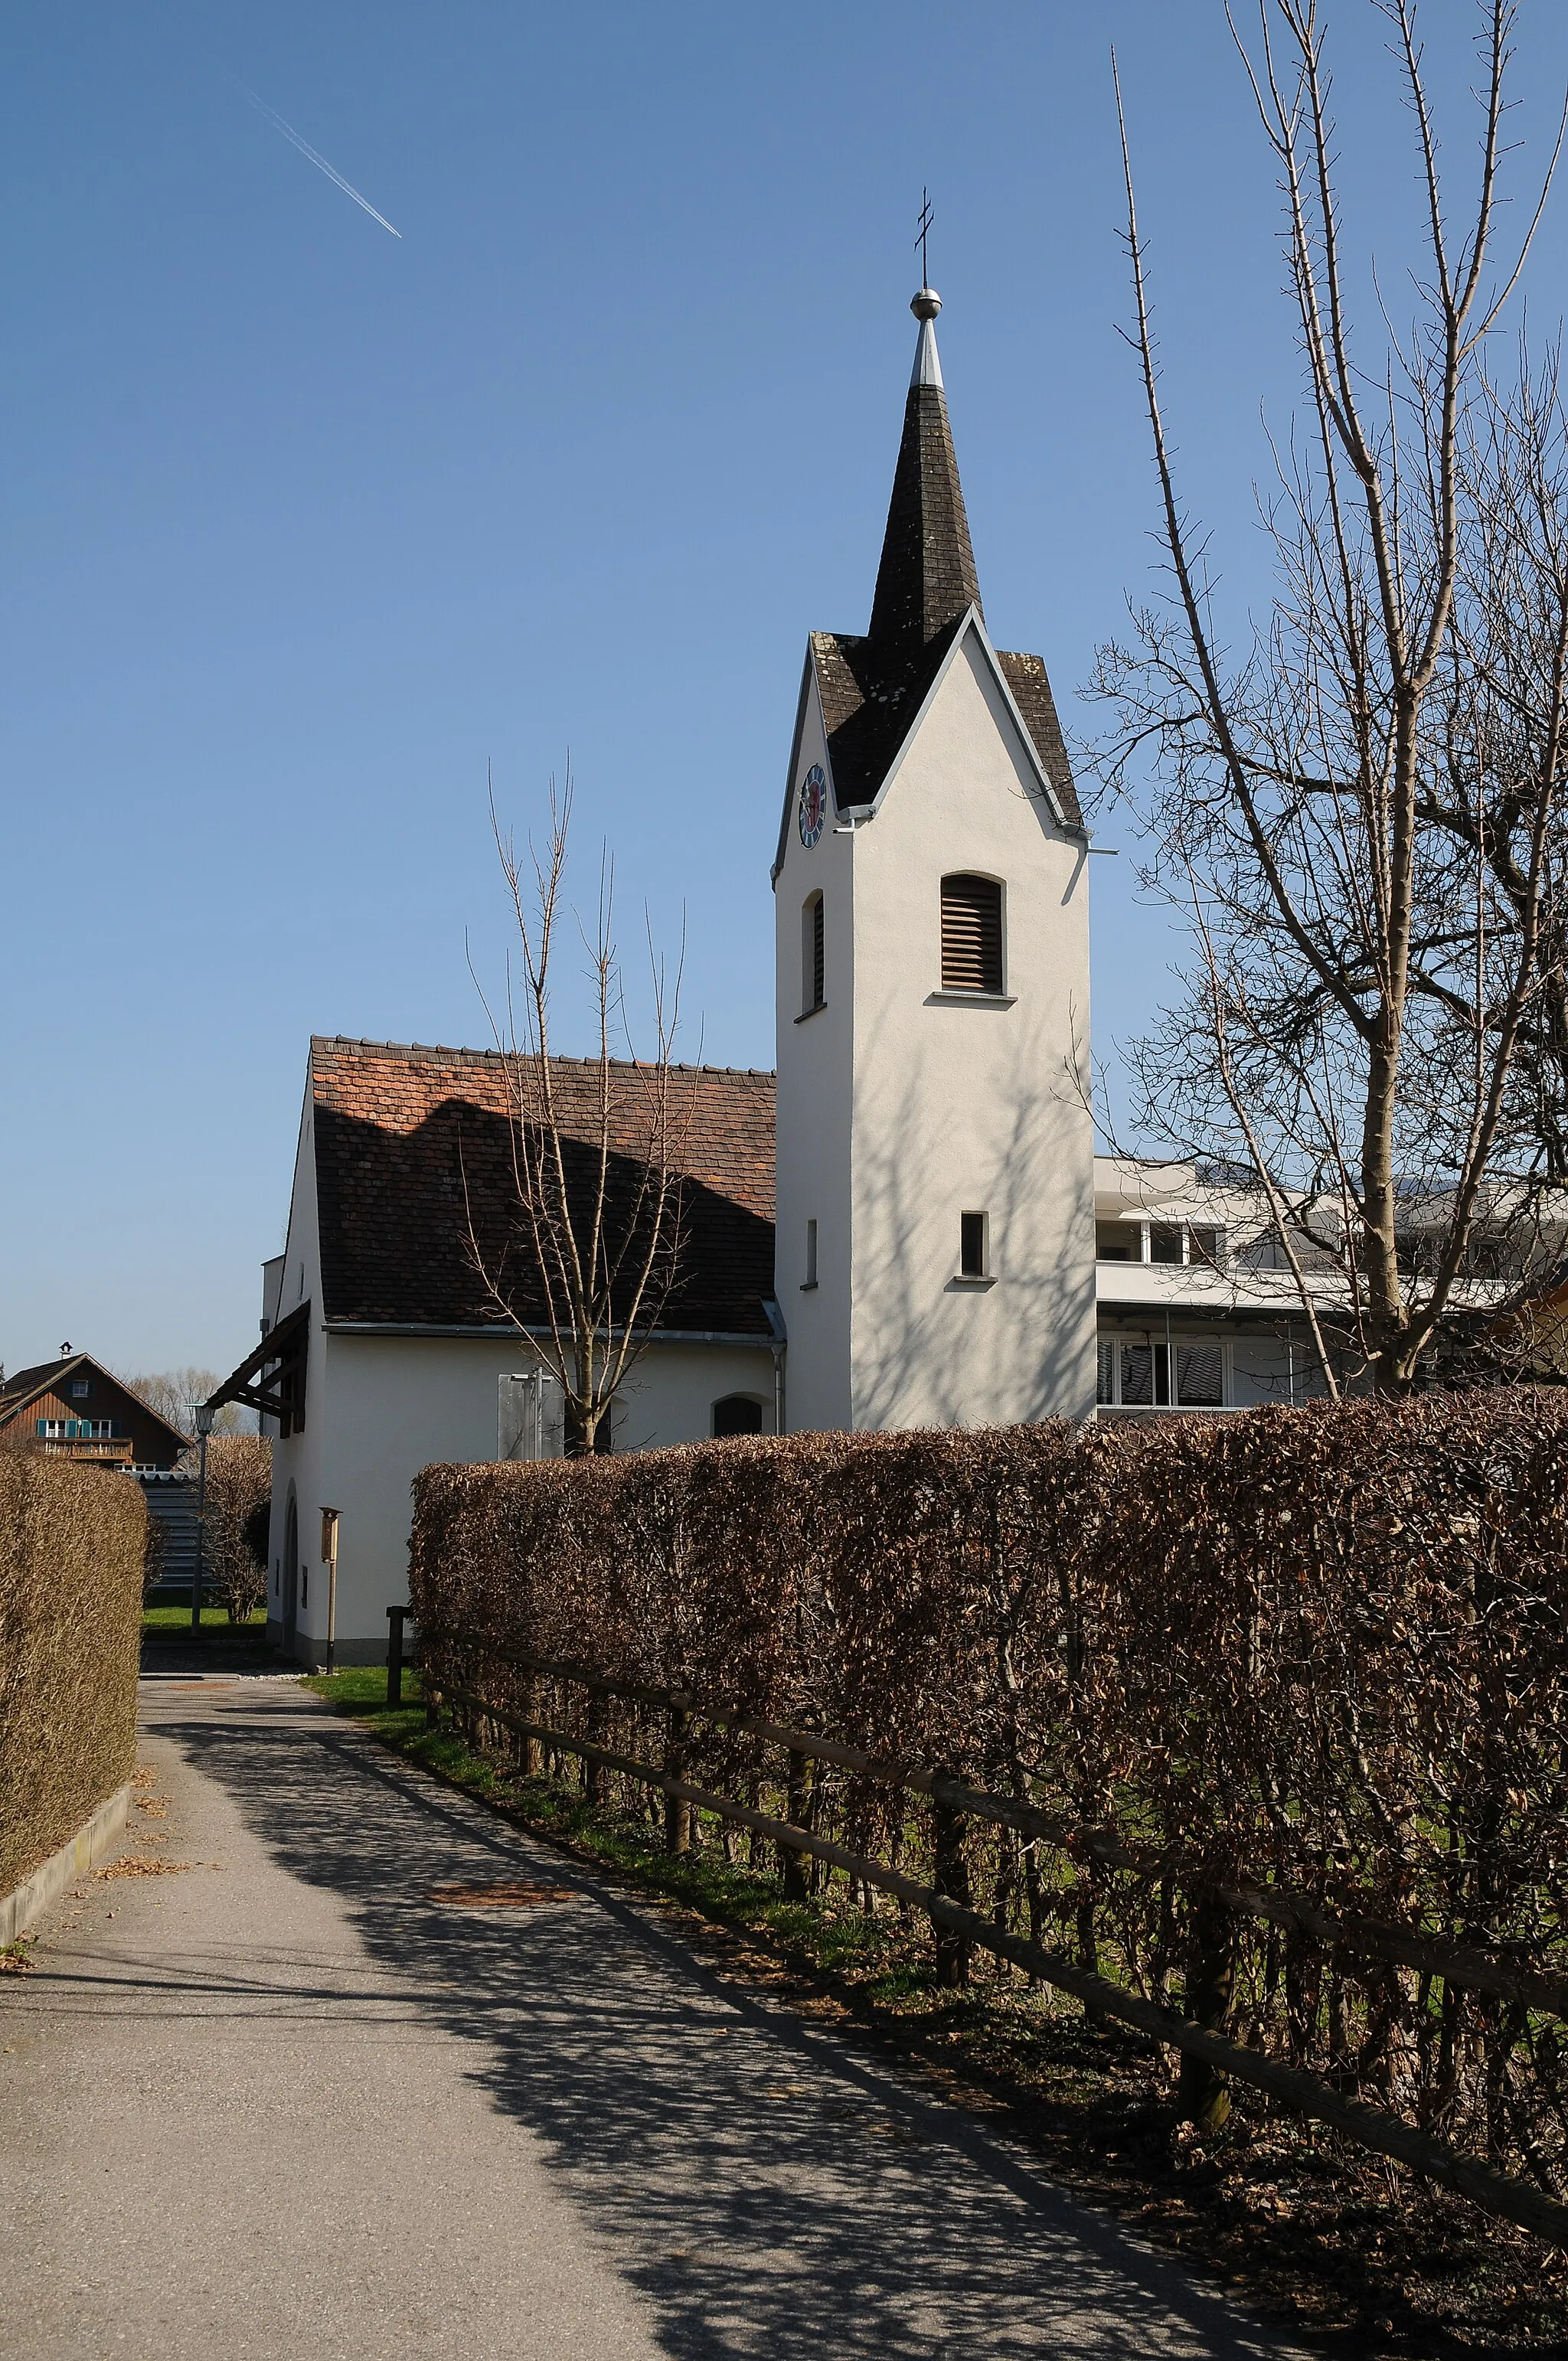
{"x":936,"y":1160}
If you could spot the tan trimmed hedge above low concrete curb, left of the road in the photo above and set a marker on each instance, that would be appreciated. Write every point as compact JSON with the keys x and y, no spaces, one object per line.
{"x":72,"y":1548}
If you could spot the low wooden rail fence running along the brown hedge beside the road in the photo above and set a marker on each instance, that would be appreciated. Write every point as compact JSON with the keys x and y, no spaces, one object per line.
{"x":960,"y":1928}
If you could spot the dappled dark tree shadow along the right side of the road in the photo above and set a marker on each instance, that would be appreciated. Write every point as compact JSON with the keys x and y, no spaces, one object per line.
{"x":766,"y":2187}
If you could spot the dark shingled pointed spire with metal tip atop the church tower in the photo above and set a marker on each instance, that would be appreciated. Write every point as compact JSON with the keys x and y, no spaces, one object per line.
{"x":927,"y":575}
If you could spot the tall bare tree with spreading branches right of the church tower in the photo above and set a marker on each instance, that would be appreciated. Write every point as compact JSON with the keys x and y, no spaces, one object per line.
{"x":1361,"y":811}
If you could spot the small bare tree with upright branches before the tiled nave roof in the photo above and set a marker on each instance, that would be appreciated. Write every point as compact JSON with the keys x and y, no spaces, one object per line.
{"x":594,"y":1243}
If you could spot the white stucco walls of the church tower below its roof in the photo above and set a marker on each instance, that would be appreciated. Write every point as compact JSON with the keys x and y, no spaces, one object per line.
{"x":943,"y":1108}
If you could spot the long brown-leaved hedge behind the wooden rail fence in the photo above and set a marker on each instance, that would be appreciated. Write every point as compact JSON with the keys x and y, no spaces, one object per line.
{"x":1309,"y":1652}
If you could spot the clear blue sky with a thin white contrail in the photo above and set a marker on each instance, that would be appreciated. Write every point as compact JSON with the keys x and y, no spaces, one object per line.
{"x":306,"y":525}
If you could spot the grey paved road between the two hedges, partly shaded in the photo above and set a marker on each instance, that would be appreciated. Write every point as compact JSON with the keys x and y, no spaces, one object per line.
{"x":285,"y":2105}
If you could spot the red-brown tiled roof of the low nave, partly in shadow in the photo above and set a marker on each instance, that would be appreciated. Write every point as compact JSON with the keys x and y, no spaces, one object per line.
{"x":412,"y":1142}
